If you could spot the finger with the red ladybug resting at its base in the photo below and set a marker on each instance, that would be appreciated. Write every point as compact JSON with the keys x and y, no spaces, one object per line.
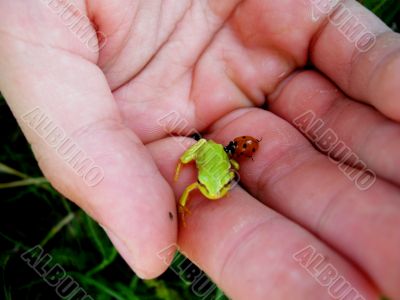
{"x":290,"y":176}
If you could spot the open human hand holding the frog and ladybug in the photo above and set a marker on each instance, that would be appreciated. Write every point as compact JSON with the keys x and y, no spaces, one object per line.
{"x":208,"y":61}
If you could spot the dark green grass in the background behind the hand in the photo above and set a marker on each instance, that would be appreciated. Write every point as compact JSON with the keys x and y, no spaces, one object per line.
{"x":33,"y":213}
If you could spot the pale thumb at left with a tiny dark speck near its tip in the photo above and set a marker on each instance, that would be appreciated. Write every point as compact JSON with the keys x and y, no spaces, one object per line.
{"x":66,"y":110}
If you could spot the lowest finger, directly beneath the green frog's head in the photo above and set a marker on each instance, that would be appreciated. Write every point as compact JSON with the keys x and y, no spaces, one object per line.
{"x":245,"y":247}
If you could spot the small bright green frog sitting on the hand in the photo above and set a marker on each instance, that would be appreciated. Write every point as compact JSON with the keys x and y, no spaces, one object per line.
{"x":215,"y":172}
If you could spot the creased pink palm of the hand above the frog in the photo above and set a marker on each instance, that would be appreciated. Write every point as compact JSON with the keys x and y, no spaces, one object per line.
{"x":214,"y":61}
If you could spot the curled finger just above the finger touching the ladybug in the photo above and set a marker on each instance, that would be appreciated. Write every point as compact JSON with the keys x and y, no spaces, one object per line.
{"x":372,"y":138}
